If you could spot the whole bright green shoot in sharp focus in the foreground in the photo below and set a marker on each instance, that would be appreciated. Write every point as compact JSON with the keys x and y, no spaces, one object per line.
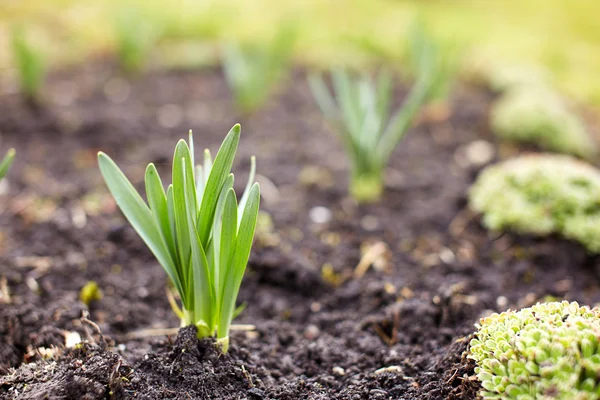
{"x":196,"y":229}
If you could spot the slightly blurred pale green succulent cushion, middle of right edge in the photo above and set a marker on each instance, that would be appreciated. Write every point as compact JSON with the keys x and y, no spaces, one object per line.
{"x":541,"y":195}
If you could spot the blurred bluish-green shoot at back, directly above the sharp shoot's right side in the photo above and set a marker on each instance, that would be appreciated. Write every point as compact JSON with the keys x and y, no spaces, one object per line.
{"x":253,"y":71}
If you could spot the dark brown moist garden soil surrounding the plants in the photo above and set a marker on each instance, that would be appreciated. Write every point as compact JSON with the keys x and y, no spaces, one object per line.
{"x":399,"y":331}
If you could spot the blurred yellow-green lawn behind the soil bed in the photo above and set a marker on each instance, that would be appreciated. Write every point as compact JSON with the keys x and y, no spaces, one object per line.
{"x":561,"y":35}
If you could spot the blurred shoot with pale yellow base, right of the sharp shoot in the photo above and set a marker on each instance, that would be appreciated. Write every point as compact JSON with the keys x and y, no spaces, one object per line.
{"x":360,"y":111}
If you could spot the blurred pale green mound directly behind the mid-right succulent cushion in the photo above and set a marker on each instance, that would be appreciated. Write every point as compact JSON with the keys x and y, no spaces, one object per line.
{"x":539,"y":116}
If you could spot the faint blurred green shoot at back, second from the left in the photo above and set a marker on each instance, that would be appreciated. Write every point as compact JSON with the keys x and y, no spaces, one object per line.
{"x":135,"y":36}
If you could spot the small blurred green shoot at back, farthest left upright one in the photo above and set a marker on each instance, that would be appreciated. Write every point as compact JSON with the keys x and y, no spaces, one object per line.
{"x":30,"y":64}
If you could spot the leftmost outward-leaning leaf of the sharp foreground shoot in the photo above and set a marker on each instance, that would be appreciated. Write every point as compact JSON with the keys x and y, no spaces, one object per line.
{"x":139,"y":215}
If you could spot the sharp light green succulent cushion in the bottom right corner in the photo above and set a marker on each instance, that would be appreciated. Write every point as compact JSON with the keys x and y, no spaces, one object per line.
{"x":550,"y":350}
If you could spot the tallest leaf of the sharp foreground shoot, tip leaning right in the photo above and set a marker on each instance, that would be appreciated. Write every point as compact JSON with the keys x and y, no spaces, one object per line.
{"x":219,"y":172}
